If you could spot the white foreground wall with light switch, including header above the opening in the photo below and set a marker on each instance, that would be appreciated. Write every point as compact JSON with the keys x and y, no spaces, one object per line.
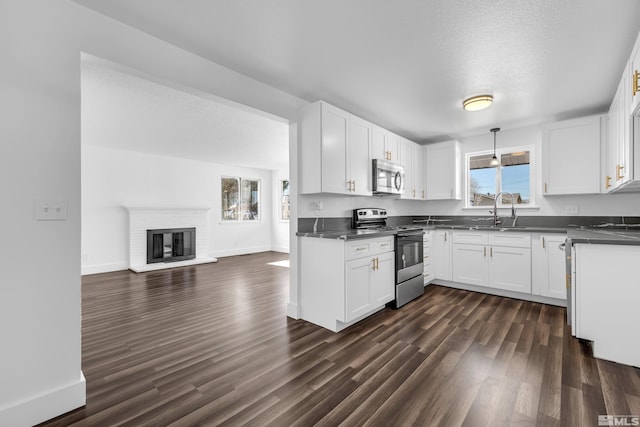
{"x":40,"y":307}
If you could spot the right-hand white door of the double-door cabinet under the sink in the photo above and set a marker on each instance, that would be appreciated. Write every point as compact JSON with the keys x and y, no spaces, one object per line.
{"x":510,"y":268}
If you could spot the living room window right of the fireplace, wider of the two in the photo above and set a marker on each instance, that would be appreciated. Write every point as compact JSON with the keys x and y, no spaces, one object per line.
{"x":240,"y":199}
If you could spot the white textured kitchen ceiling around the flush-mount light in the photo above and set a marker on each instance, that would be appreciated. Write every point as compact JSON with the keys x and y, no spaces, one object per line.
{"x":407,"y":64}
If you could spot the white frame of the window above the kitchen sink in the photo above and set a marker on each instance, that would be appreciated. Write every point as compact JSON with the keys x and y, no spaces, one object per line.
{"x":499,"y":152}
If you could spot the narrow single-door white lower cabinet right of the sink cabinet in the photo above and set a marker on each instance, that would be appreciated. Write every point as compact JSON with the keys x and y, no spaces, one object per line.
{"x":548,"y":273}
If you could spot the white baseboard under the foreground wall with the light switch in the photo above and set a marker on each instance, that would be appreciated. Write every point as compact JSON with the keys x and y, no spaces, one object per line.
{"x":45,"y":406}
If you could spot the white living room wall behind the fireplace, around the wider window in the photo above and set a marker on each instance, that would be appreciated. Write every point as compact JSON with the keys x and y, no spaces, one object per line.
{"x":113,"y":179}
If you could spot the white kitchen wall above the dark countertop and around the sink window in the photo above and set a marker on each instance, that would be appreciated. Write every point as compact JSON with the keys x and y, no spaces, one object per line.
{"x":588,"y":205}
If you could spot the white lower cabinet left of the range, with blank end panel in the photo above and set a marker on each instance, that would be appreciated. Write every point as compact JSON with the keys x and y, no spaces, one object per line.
{"x":341,"y":281}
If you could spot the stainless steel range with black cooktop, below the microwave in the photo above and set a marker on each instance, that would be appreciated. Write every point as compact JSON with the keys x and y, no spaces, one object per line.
{"x":408,"y":247}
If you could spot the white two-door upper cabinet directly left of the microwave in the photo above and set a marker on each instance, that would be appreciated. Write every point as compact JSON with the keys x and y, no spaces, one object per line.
{"x":335,"y":151}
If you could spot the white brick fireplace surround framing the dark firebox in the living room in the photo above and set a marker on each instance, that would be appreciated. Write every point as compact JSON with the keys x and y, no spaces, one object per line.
{"x":142,"y":219}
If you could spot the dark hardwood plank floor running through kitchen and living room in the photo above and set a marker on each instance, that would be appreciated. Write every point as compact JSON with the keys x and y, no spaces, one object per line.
{"x":211,"y":345}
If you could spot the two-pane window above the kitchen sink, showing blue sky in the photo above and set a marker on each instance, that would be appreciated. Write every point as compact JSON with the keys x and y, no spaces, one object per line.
{"x":513,"y":177}
